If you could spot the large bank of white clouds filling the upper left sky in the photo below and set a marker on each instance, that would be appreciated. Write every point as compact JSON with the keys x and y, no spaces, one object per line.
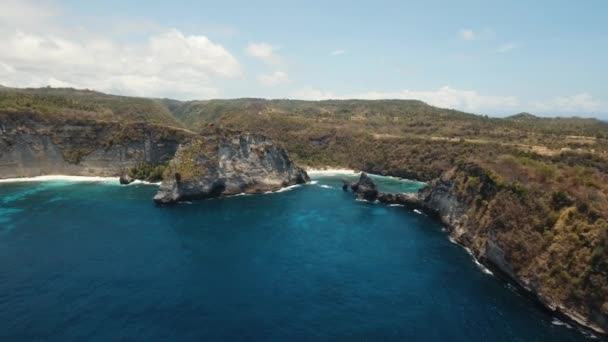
{"x":167,"y":63}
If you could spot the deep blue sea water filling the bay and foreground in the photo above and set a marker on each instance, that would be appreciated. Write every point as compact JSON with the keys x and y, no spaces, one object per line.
{"x":91,"y":261}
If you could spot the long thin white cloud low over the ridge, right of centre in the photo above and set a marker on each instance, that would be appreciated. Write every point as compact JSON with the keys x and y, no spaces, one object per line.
{"x":445,"y":97}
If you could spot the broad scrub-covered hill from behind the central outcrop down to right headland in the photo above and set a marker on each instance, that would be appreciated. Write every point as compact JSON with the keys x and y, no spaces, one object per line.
{"x":537,"y":198}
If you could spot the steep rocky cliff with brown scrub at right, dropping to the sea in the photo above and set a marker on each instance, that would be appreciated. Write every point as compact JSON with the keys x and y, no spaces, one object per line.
{"x":563,"y":262}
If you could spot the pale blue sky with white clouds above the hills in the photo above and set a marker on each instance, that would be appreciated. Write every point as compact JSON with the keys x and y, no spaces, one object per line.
{"x":487,"y":57}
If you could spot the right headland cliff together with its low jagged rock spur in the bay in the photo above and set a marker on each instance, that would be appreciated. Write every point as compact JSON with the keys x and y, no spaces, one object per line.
{"x":499,"y":225}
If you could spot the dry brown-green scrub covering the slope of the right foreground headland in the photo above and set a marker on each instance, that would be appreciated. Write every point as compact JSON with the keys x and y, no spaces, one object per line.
{"x":550,"y":223}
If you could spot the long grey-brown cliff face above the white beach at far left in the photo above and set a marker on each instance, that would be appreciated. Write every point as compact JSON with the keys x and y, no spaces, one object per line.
{"x":31,"y":146}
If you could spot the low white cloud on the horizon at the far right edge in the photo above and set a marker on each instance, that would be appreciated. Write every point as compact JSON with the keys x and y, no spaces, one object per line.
{"x":580,"y":103}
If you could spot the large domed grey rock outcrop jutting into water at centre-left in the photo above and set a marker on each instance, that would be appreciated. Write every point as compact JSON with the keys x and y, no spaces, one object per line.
{"x":227,"y":164}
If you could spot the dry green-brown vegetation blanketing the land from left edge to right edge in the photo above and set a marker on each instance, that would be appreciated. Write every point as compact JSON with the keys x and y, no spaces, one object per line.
{"x":539,"y":189}
